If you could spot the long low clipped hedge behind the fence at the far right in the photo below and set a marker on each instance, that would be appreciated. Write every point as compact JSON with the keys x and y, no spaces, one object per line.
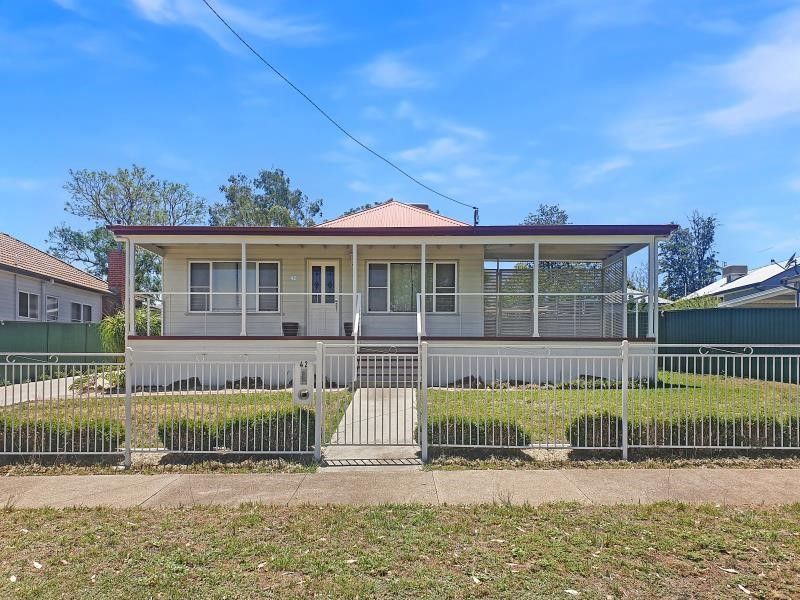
{"x":605,"y":430}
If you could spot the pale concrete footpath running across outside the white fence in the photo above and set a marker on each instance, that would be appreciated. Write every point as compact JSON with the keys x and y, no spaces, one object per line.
{"x":732,"y":487}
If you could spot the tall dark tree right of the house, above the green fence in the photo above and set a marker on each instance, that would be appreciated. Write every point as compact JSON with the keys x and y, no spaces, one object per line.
{"x":688,"y":258}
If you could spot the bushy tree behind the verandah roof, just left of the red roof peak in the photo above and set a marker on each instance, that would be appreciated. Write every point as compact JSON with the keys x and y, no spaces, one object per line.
{"x":266,"y":200}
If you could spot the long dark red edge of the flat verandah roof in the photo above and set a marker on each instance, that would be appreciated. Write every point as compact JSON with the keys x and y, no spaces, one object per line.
{"x":480,"y":230}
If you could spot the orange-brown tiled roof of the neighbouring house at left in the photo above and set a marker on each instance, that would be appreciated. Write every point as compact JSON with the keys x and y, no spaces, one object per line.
{"x":19,"y":257}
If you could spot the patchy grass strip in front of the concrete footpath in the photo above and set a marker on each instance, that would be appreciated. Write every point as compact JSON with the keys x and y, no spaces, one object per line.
{"x":491,"y":551}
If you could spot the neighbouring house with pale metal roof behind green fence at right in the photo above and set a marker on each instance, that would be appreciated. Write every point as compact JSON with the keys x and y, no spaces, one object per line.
{"x":772,"y":286}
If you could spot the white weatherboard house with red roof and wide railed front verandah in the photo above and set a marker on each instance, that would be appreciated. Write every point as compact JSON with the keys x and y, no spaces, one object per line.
{"x":395,"y":274}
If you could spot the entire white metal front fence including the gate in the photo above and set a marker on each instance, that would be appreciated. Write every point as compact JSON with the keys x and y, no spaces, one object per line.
{"x":523,"y":396}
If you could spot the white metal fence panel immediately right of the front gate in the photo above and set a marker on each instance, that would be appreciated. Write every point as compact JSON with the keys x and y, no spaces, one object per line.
{"x":534,"y":397}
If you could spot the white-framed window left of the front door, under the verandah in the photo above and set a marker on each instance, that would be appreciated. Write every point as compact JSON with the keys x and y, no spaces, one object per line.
{"x":216,"y":286}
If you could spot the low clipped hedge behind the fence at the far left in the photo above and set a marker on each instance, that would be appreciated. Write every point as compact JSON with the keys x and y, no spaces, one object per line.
{"x":61,"y":436}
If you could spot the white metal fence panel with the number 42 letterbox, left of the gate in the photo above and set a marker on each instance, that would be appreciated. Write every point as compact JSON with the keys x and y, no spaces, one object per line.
{"x":237,"y":403}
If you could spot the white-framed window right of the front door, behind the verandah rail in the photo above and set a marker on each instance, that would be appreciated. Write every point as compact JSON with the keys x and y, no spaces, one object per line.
{"x":393,"y":287}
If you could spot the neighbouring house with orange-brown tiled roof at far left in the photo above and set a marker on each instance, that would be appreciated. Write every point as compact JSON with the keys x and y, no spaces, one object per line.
{"x":37,"y":287}
